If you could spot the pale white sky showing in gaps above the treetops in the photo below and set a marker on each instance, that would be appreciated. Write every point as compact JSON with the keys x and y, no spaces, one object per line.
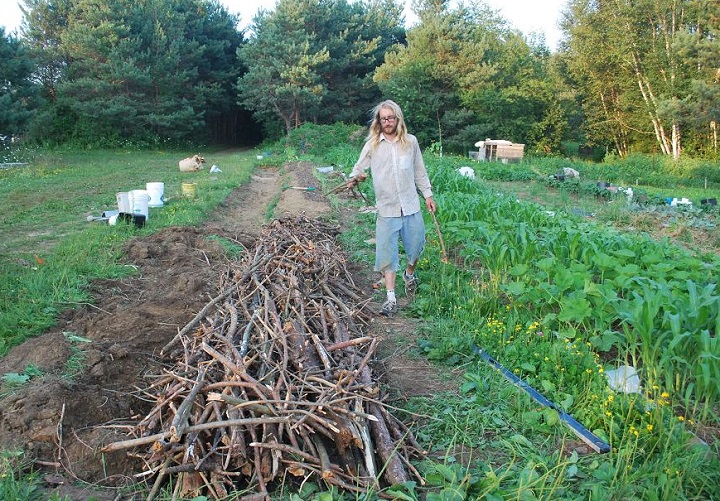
{"x":540,"y":16}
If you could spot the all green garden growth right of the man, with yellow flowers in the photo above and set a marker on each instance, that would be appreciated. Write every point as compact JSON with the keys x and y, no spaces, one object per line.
{"x":538,"y":280}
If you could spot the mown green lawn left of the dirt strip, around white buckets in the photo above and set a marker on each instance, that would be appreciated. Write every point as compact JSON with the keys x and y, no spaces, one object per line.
{"x":50,"y":253}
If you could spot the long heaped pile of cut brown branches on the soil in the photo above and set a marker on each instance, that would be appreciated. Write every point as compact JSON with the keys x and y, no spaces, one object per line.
{"x":271,"y":381}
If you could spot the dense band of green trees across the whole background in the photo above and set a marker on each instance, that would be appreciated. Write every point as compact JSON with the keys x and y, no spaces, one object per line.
{"x":629,"y":77}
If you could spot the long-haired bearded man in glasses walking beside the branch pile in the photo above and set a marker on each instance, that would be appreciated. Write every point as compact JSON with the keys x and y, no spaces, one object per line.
{"x":398,"y":173}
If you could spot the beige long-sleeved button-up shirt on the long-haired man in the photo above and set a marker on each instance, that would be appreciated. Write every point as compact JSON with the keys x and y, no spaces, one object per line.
{"x":398,"y":172}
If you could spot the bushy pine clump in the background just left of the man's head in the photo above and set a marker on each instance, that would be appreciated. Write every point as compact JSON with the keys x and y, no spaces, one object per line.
{"x":313,"y":60}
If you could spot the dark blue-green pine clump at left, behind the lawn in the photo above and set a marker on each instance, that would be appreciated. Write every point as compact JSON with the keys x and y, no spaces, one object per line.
{"x":144,"y":72}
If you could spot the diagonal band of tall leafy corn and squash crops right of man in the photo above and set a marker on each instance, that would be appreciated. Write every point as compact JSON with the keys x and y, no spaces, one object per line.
{"x":611,"y":289}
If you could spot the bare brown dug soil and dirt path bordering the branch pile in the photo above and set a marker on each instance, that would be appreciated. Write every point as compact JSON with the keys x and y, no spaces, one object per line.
{"x":62,"y":420}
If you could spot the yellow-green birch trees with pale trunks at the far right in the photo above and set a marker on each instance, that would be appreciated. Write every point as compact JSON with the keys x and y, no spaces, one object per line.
{"x":640,"y":61}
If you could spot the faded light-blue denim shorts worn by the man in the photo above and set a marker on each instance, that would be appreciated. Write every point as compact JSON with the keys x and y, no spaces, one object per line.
{"x":389,"y":231}
